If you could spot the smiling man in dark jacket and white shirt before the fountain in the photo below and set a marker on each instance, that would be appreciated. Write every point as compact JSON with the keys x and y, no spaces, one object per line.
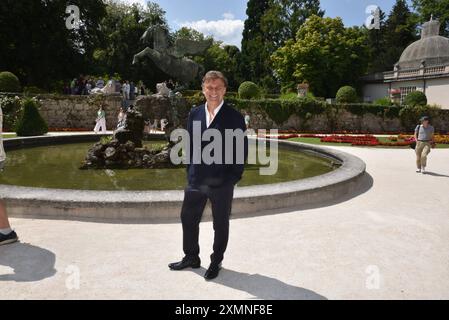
{"x":213,"y":181}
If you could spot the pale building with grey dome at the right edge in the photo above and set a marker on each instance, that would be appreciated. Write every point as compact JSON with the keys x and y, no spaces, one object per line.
{"x":423,"y":66}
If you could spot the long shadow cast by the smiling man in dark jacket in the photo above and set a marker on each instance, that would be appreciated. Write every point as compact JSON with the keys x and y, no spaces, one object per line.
{"x":261,"y":287}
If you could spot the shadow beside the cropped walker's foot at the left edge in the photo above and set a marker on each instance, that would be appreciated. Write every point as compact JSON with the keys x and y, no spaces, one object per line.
{"x":29,"y":263}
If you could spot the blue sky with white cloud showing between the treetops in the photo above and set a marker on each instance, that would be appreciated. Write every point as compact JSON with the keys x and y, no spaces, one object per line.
{"x":224,"y":18}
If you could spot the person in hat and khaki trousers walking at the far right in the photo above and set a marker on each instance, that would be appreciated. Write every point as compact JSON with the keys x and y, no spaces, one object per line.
{"x":424,"y":136}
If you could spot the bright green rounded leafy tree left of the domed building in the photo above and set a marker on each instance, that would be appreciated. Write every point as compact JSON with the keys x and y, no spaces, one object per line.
{"x":325,"y":54}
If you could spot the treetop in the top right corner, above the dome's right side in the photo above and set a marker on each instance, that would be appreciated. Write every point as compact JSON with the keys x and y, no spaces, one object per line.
{"x":439,"y":9}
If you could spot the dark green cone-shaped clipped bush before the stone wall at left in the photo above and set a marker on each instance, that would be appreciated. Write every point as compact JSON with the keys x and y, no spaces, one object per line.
{"x":31,"y":123}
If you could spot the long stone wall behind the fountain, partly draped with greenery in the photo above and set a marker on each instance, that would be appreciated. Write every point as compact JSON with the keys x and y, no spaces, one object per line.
{"x":80,"y":112}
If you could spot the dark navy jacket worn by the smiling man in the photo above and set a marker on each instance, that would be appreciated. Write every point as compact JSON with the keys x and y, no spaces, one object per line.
{"x":216,"y":174}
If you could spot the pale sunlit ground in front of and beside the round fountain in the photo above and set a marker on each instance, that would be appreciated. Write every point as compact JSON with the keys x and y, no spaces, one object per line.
{"x":390,"y":242}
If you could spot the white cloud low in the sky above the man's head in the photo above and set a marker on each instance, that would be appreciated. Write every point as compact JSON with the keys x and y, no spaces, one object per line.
{"x":228,"y":29}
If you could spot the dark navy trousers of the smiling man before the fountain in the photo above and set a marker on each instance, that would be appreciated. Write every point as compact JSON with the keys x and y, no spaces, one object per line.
{"x":195,"y":199}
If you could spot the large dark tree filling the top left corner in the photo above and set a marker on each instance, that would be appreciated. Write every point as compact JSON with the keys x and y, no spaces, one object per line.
{"x":37,"y":46}
